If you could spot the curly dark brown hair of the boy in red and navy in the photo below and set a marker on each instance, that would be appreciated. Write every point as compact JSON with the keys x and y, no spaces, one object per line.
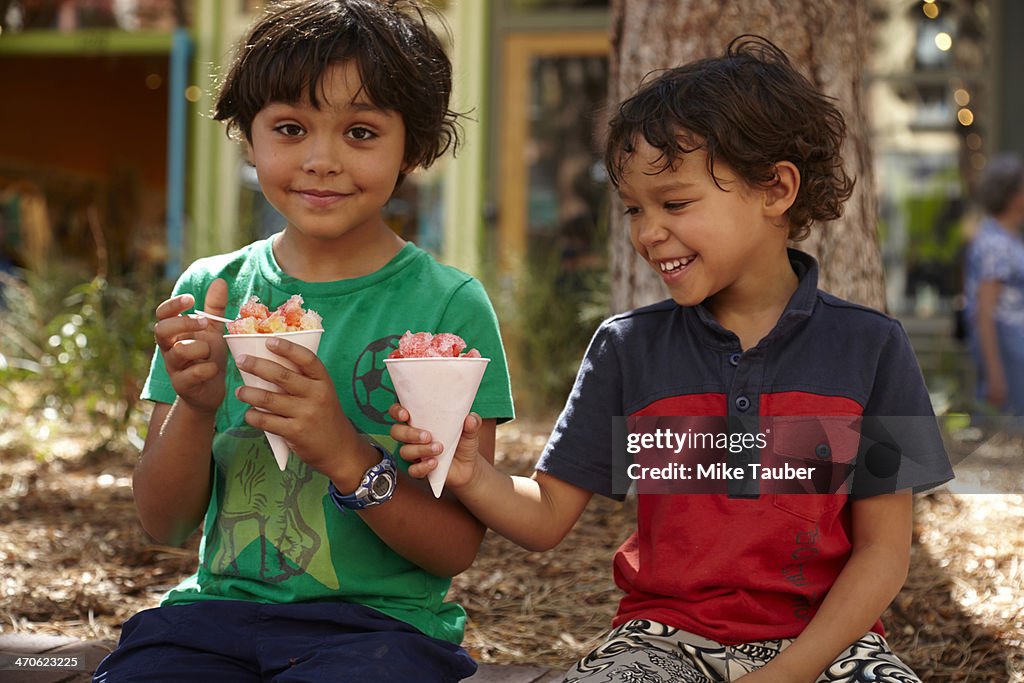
{"x":749,"y":109}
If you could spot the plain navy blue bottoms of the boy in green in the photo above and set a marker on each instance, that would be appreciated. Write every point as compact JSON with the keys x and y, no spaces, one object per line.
{"x":227,"y":642}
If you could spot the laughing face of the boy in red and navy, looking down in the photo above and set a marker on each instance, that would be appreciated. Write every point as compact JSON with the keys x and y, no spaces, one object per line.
{"x":703,"y":241}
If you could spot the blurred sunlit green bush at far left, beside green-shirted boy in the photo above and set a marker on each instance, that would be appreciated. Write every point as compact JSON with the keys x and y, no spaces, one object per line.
{"x":75,"y":349}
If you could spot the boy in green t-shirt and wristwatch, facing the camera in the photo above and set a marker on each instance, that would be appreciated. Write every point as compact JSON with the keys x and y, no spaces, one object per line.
{"x":336,"y":103}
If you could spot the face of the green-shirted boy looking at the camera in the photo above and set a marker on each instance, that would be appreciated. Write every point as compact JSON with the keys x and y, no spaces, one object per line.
{"x":329,"y":170}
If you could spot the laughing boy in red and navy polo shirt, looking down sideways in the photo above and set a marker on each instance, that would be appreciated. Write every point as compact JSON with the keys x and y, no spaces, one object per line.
{"x":719,"y":164}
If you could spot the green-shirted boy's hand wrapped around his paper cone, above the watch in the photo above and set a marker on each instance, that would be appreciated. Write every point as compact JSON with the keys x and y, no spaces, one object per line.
{"x":307,"y":413}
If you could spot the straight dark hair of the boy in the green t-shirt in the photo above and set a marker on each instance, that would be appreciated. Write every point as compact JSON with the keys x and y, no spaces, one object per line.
{"x":402,"y":64}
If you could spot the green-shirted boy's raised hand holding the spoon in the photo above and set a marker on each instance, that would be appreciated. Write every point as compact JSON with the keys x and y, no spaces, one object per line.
{"x":194,"y":350}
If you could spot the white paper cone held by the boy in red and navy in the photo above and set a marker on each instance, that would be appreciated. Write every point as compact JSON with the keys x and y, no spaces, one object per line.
{"x":438,"y":394}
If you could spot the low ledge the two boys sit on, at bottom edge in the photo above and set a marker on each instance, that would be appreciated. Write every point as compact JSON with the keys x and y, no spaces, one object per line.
{"x":92,"y":653}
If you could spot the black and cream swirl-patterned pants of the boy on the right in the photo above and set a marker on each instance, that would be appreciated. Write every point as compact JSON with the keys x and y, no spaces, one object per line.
{"x":644,"y":652}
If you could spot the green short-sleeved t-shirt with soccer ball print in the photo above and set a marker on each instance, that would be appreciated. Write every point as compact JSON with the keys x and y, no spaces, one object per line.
{"x":277,"y":537}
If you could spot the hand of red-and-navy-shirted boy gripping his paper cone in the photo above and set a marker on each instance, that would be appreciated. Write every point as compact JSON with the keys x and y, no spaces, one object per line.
{"x":421,"y":451}
